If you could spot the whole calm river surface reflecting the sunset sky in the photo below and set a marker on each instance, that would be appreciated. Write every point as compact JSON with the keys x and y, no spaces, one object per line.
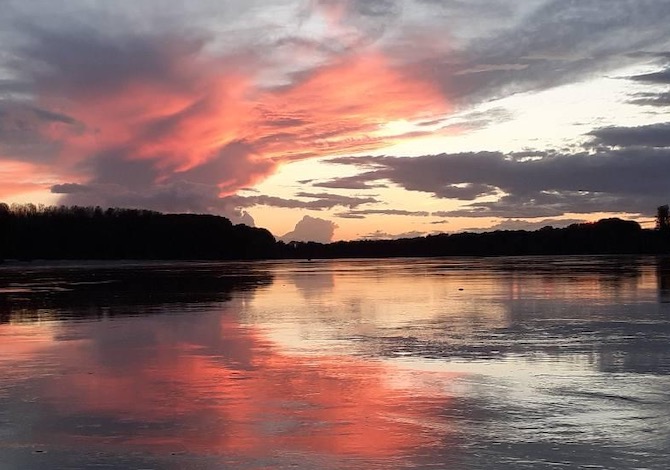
{"x":508,"y":363}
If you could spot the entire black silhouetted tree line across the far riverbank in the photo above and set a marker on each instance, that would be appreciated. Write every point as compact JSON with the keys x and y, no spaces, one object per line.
{"x":61,"y":232}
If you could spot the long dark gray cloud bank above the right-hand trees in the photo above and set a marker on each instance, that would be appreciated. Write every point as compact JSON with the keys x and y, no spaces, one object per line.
{"x":620,"y":175}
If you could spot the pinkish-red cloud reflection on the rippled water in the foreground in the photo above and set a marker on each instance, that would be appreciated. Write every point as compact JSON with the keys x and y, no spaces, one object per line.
{"x":204,"y":383}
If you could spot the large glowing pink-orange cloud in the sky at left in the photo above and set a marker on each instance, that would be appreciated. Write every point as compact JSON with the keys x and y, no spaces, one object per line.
{"x":142,"y":115}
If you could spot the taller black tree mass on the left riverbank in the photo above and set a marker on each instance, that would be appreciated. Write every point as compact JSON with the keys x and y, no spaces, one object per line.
{"x":61,"y":232}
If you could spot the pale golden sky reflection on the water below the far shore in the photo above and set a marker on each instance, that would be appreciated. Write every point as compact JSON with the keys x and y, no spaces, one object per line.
{"x":368,"y":299}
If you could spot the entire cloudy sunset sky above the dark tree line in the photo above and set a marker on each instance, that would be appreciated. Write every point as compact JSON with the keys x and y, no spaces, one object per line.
{"x":339,"y":119}
